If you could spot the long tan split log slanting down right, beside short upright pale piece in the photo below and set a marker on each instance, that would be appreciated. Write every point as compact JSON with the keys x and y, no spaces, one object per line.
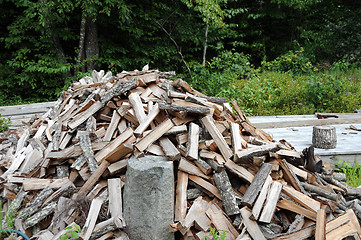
{"x":217,"y":136}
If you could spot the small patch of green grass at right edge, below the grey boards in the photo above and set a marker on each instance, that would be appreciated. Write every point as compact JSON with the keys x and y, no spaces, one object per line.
{"x":352,"y":172}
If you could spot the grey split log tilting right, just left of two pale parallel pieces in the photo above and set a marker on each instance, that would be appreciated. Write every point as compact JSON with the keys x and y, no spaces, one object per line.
{"x":256,"y":185}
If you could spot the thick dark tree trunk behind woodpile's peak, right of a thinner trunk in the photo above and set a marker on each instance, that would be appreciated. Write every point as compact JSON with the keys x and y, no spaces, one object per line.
{"x":91,"y":43}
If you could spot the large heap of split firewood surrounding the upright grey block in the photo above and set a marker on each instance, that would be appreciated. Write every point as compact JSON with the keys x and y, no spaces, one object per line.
{"x":67,"y":166}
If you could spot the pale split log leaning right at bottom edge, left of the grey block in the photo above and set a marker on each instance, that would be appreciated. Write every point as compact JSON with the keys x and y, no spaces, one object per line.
{"x":91,"y":219}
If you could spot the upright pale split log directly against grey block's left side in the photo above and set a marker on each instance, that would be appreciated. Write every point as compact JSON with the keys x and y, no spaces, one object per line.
{"x":115,"y":197}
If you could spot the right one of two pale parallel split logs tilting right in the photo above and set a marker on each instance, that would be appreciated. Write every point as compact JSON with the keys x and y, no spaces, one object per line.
{"x":271,"y":202}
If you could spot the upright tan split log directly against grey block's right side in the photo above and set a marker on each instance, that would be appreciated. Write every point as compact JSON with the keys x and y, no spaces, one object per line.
{"x":180,"y":209}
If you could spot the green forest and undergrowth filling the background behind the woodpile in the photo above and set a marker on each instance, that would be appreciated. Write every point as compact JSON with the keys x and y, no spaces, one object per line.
{"x":273,"y":56}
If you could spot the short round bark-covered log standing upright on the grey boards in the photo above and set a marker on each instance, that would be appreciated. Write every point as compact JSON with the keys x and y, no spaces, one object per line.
{"x":324,"y":137}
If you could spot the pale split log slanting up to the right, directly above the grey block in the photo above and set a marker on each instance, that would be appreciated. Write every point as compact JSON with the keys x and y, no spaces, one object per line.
{"x":154,"y":135}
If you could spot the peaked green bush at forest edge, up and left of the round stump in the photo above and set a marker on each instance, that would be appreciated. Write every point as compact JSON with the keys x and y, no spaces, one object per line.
{"x":293,"y":61}
